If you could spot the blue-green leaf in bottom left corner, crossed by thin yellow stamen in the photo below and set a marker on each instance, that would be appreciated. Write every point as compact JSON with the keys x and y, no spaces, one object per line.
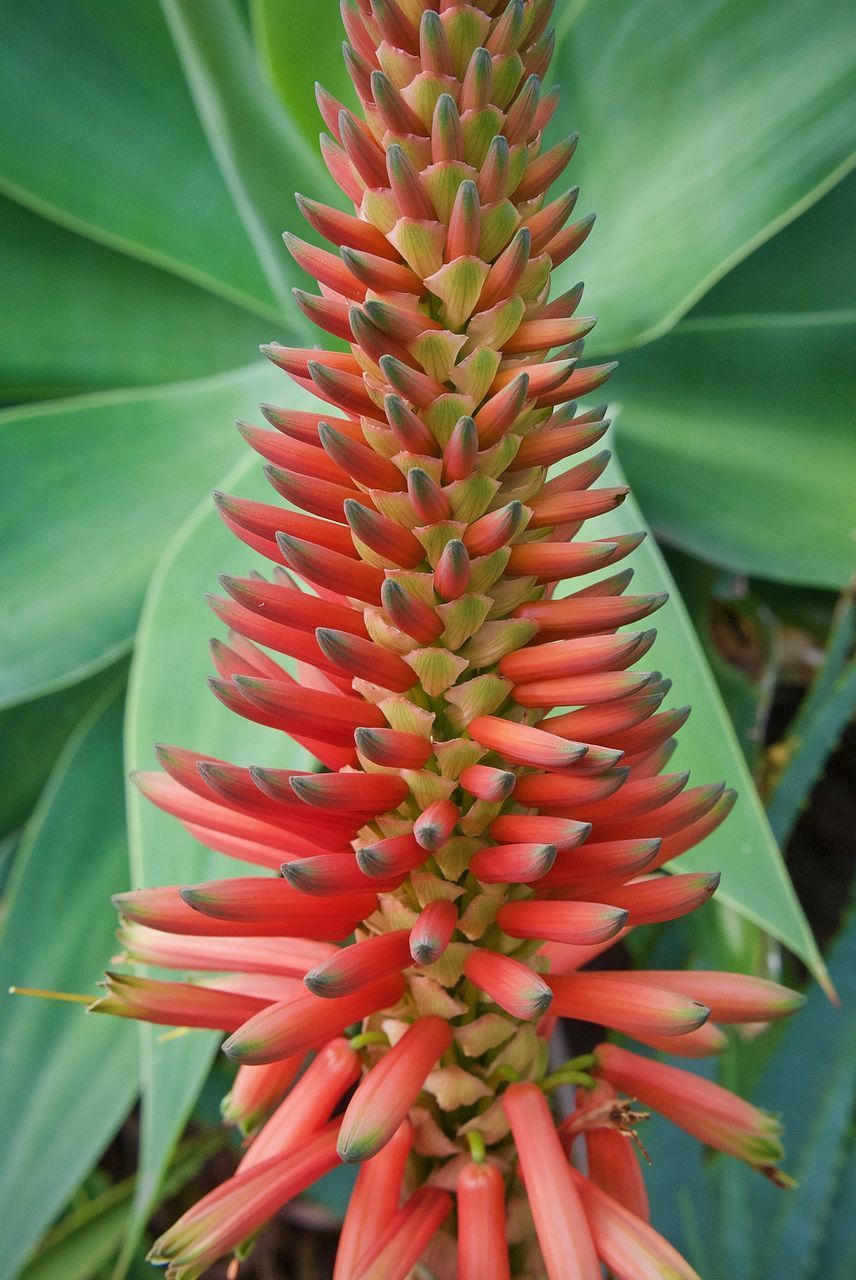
{"x":68,"y":1080}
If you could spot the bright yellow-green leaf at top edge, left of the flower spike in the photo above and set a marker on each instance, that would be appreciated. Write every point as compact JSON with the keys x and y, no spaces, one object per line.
{"x":299,"y":47}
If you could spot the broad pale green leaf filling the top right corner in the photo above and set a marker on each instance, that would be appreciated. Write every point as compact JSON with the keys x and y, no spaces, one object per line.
{"x":704,"y":129}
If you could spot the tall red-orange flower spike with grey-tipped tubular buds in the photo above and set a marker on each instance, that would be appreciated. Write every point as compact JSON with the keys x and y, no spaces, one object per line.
{"x":492,"y":804}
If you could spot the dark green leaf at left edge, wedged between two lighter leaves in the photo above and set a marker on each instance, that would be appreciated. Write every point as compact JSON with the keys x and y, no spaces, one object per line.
{"x":83,"y":318}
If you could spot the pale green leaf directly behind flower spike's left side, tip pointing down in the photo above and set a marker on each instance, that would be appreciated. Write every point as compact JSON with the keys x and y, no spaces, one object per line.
{"x":170,"y":702}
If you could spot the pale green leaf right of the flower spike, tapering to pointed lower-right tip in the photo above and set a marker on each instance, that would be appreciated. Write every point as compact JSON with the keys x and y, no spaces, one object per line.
{"x":754,"y":879}
